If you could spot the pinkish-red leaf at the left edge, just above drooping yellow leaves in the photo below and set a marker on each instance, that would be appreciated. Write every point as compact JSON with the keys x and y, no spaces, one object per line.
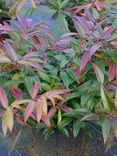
{"x":3,"y":98}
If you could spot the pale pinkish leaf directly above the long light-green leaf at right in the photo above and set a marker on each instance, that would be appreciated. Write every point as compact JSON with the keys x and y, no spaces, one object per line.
{"x":99,"y":73}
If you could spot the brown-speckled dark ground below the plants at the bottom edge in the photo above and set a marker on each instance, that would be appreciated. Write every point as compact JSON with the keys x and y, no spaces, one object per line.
{"x":59,"y":145}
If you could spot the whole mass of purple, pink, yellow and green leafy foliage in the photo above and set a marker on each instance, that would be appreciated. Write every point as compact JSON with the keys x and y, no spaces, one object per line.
{"x":68,"y":84}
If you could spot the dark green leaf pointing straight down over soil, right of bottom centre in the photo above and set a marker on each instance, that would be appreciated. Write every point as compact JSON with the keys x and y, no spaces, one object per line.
{"x":76,"y":127}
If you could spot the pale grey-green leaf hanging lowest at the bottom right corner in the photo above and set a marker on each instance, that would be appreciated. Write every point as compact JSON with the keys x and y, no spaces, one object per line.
{"x":106,"y":129}
